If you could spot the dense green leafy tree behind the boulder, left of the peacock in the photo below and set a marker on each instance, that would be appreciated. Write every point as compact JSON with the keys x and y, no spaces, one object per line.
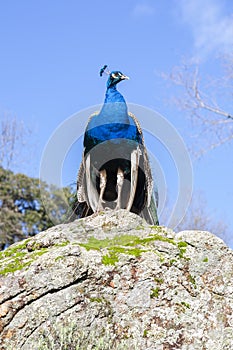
{"x":22,"y":213}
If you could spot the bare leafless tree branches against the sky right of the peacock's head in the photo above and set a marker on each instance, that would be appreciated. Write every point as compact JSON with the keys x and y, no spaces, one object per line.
{"x":206,"y":101}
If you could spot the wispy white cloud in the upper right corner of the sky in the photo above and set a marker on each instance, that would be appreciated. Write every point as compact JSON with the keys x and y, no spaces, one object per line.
{"x":212,"y":28}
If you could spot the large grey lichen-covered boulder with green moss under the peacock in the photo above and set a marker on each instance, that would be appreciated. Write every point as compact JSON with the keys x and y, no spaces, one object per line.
{"x":110,"y":281}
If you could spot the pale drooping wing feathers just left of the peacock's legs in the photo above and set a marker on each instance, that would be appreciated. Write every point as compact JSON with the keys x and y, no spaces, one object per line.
{"x":92,"y":193}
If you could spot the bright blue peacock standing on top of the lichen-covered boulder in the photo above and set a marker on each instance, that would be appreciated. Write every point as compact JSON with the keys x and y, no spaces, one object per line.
{"x":115,"y":172}
